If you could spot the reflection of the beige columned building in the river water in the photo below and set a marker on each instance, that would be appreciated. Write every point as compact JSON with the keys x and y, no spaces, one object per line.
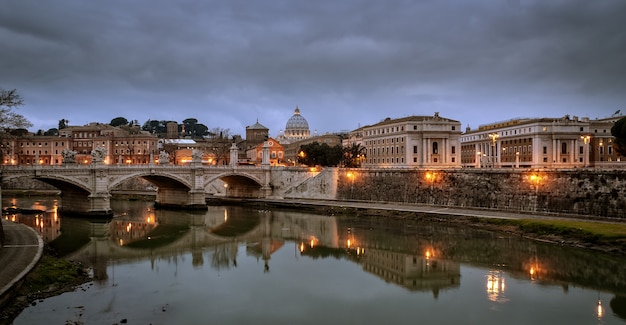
{"x":412,"y":271}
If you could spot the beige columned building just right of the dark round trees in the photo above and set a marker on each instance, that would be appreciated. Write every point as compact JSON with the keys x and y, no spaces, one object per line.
{"x":414,"y":141}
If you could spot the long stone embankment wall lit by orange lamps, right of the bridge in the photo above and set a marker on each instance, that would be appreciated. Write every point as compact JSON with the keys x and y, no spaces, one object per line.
{"x":595,"y":193}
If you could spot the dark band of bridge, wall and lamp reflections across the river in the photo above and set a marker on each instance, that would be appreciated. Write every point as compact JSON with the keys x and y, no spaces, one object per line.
{"x":412,"y":256}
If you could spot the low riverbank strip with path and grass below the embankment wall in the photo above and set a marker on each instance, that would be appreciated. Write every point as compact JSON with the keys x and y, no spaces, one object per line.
{"x":585,"y":232}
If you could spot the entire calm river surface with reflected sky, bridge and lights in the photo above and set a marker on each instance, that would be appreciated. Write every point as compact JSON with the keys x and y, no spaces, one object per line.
{"x":234,"y":265}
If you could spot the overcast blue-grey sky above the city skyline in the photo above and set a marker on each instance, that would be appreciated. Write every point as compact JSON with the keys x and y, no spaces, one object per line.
{"x":344,"y":63}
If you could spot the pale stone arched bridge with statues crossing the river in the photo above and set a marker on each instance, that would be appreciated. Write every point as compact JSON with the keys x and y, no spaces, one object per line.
{"x":86,"y":189}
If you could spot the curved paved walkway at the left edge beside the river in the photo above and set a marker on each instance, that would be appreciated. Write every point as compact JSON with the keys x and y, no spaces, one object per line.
{"x":20,"y":253}
